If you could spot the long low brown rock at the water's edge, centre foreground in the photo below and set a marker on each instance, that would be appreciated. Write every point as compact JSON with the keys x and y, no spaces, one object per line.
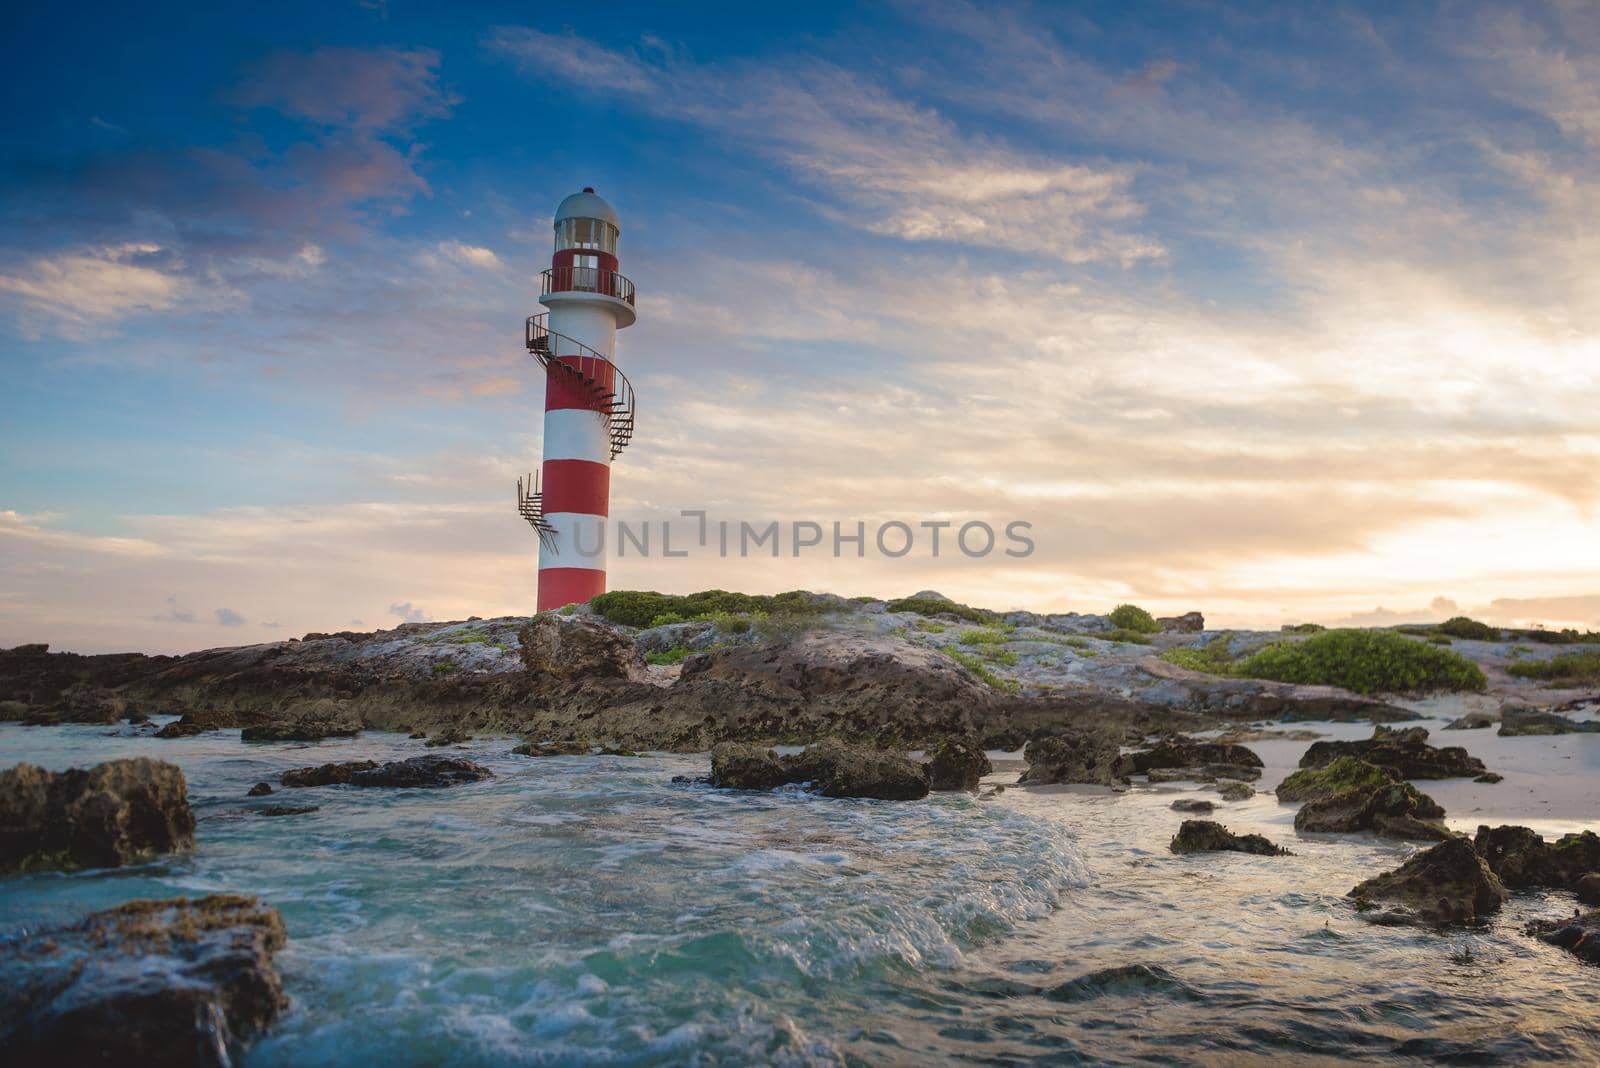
{"x":833,"y":768}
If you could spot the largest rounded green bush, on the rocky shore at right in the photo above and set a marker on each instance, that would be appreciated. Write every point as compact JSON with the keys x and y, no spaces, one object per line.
{"x":1364,"y":661}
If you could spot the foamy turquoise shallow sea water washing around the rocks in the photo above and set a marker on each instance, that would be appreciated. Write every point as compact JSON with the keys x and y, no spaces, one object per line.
{"x":588,"y":911}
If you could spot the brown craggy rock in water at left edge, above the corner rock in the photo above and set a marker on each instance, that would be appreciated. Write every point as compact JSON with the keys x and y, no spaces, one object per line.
{"x":118,"y":813}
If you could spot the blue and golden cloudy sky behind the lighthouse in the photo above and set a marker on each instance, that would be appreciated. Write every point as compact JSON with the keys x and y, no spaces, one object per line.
{"x":1279,"y":313}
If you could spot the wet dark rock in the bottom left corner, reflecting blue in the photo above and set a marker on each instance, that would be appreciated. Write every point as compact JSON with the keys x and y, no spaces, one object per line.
{"x":166,"y":984}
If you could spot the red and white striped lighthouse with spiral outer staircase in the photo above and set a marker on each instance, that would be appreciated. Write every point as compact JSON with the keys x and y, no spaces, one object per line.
{"x":588,"y":402}
